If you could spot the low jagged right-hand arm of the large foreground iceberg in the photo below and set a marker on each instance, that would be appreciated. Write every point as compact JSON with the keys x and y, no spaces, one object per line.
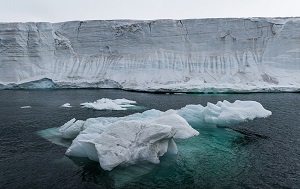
{"x":224,"y":113}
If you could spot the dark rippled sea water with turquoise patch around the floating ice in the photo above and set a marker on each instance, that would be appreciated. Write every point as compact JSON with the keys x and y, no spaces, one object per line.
{"x":266,"y":155}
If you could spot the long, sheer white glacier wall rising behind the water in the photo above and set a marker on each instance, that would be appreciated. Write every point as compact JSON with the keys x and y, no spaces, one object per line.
{"x":199,"y":55}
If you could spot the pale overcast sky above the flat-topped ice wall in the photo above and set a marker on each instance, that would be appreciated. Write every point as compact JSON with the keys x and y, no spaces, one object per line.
{"x":65,"y":10}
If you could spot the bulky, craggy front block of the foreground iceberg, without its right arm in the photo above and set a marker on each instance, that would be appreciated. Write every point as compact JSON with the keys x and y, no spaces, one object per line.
{"x":128,"y":140}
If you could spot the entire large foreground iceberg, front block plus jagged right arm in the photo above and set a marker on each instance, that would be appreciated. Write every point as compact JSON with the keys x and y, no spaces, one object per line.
{"x":147,"y":136}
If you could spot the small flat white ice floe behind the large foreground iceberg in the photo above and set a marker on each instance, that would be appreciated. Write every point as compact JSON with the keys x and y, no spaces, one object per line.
{"x":108,"y":104}
